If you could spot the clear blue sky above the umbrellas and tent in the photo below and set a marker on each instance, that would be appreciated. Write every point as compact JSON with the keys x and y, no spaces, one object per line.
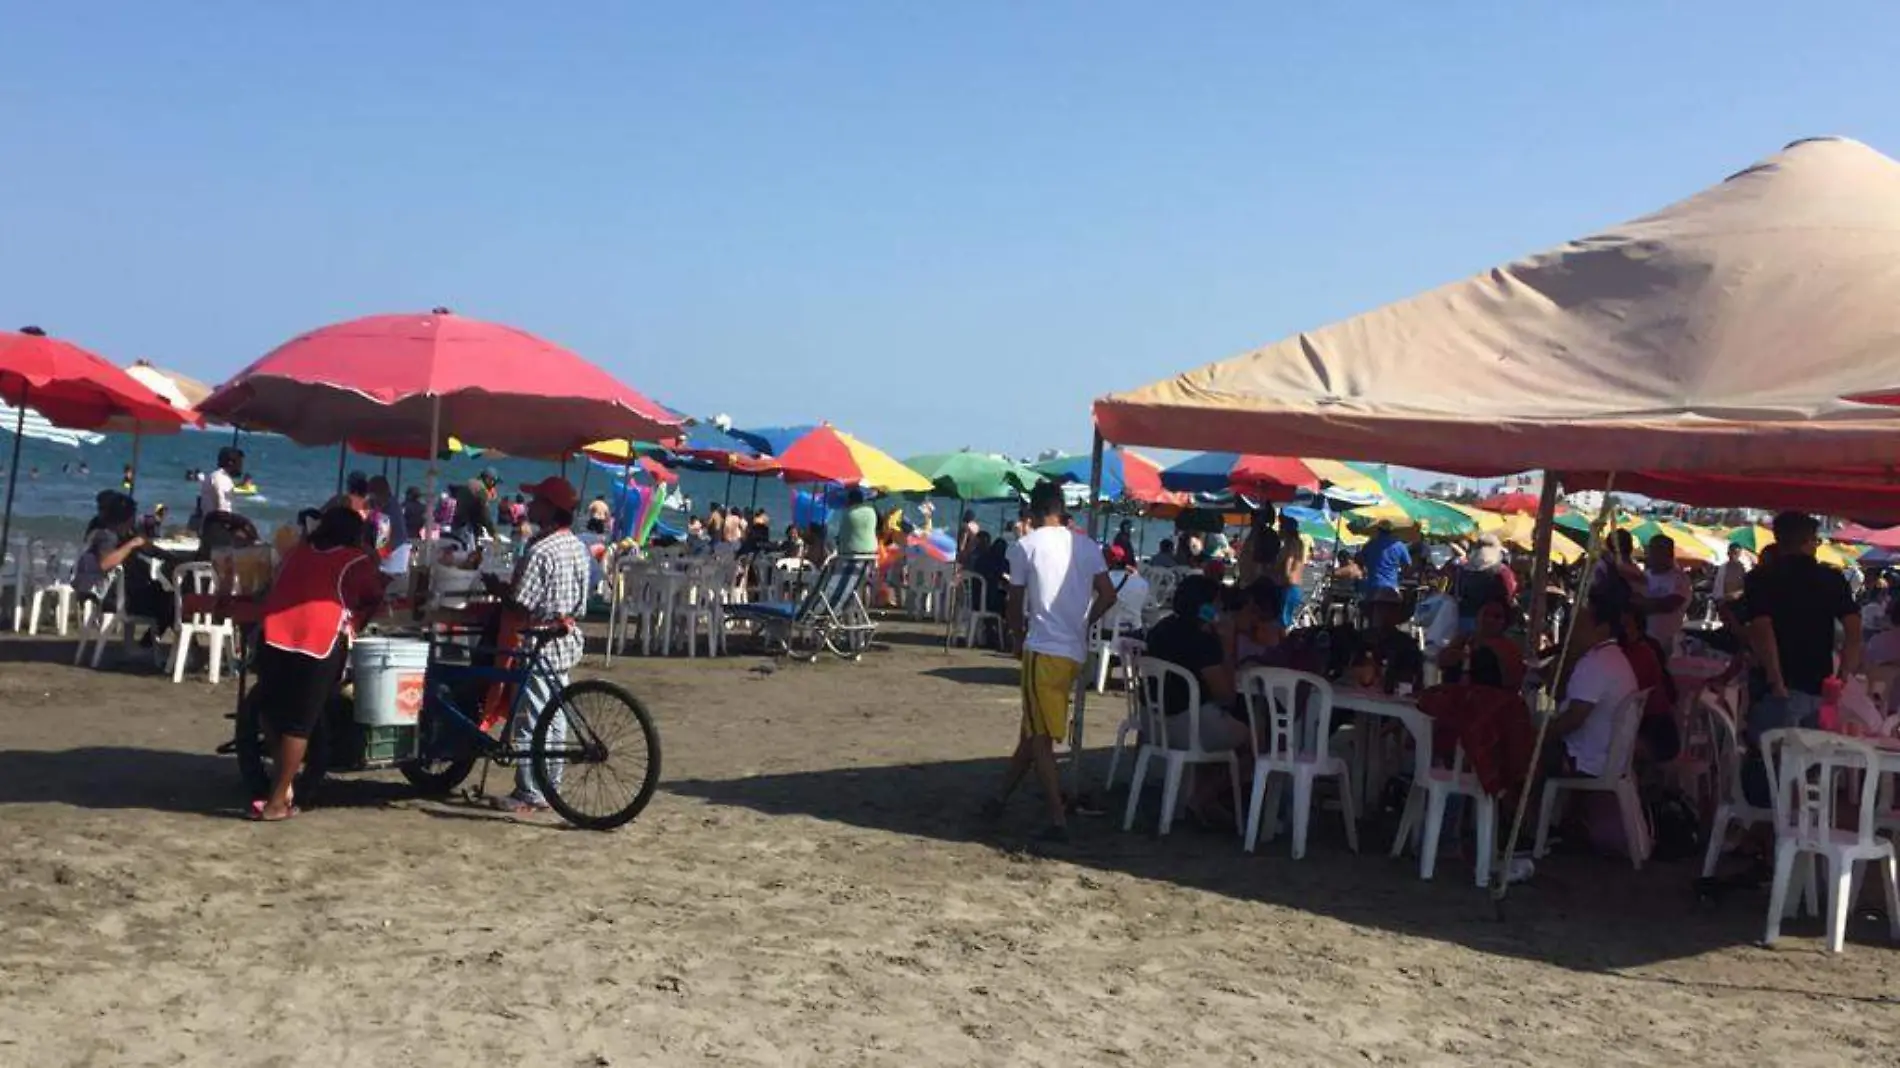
{"x":936,"y":225}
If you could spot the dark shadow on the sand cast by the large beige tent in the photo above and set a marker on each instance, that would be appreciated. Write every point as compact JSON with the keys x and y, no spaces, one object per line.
{"x":1580,"y":913}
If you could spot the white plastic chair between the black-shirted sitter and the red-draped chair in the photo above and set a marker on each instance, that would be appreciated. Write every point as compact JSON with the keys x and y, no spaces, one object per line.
{"x":1293,"y":742}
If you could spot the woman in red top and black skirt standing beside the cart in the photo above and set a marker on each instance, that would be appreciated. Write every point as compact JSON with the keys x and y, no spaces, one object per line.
{"x":324,"y":592}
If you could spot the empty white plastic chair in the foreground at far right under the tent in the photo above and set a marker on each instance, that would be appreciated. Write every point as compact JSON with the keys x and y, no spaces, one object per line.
{"x":1808,"y":828}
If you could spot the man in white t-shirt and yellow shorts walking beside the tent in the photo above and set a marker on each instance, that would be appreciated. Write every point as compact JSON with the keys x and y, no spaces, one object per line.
{"x":1059,"y":590}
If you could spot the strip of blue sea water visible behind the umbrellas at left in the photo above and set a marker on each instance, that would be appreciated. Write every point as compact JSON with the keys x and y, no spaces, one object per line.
{"x":58,"y":484}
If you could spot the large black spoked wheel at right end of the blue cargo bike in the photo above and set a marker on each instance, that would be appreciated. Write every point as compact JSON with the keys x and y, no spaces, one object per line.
{"x":596,"y":753}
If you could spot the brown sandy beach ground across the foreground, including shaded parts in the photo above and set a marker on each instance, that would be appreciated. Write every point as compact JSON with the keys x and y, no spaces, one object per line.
{"x":812,"y":887}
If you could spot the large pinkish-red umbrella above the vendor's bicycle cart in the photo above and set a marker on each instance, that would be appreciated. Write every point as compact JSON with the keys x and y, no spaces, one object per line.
{"x":411,"y":379}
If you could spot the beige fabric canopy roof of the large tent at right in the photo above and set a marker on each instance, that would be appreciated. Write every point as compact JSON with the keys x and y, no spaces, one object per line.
{"x":1732,"y":332}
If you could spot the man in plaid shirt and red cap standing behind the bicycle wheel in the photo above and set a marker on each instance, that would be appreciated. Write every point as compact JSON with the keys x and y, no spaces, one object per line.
{"x":550,"y":590}
